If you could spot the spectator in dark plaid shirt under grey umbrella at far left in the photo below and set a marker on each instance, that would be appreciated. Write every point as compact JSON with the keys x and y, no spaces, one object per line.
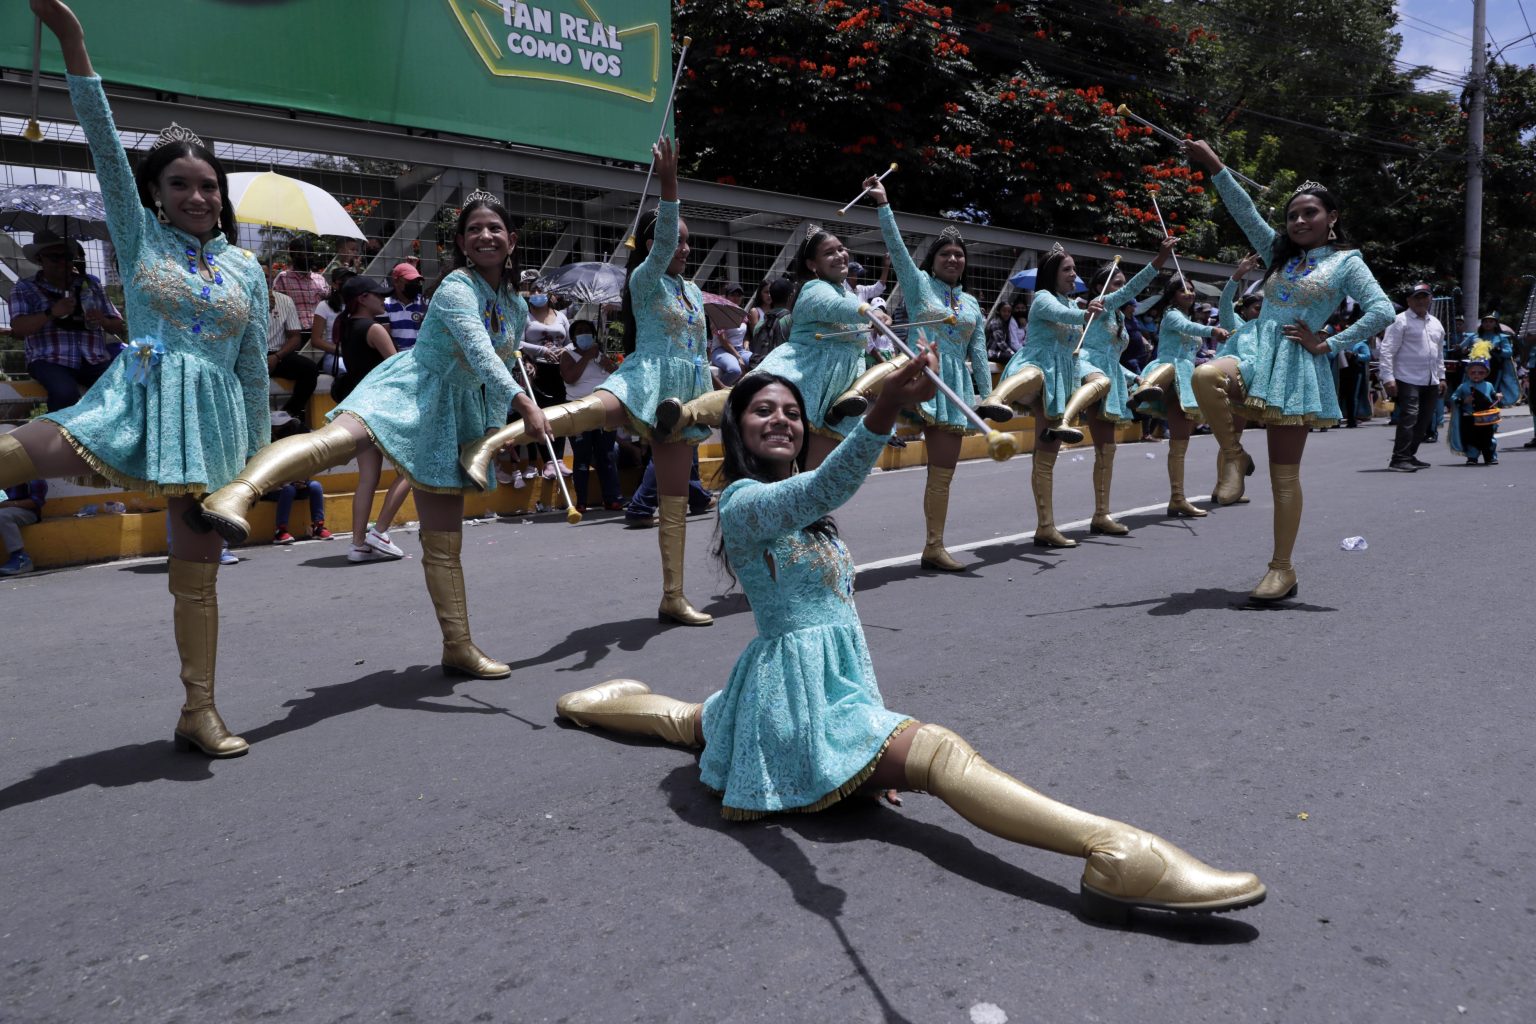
{"x":64,"y":315}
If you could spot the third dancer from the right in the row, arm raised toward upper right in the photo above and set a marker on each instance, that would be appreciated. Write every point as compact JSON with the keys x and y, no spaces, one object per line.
{"x":1102,"y":392}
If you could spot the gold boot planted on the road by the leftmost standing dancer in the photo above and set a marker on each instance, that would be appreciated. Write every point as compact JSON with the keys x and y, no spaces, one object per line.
{"x":196,"y":618}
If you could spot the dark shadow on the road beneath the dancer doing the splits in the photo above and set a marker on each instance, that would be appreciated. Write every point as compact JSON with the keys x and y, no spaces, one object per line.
{"x":861,"y":821}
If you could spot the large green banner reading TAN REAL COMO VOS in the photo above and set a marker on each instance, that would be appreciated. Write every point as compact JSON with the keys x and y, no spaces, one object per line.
{"x":580,"y":76}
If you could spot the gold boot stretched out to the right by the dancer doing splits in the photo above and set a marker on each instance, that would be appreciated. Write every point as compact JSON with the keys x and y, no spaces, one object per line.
{"x":1127,"y":867}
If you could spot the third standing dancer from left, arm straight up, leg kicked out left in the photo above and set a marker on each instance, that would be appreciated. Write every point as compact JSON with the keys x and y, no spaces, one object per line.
{"x":664,"y":314}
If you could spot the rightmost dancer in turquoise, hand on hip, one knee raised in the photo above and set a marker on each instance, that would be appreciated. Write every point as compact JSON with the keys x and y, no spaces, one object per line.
{"x":1286,"y":382}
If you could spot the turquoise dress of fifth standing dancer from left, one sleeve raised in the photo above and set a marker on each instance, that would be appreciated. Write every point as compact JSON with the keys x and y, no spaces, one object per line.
{"x":964,"y":342}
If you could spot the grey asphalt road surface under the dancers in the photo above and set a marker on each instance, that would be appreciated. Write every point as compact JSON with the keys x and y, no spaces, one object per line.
{"x":403,"y":848}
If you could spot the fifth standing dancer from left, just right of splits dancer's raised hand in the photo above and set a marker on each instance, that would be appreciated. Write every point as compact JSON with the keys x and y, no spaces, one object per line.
{"x":935,"y":291}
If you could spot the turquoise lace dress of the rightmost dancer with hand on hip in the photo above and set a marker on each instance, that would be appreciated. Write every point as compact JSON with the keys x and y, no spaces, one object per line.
{"x":1285,"y":383}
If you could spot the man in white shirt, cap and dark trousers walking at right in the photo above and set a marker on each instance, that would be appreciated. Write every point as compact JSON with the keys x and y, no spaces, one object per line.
{"x":1412,"y":368}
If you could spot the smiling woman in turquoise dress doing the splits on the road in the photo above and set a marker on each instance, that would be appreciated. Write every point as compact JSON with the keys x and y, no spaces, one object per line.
{"x":801,"y":725}
